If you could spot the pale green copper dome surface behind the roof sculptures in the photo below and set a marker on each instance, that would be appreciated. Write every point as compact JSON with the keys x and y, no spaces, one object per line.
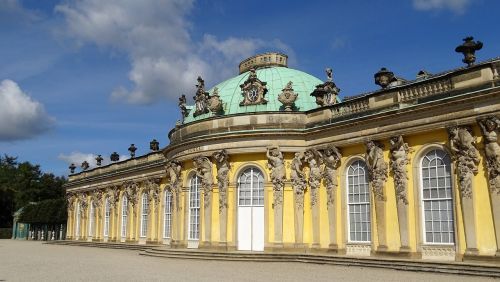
{"x":276,"y":78}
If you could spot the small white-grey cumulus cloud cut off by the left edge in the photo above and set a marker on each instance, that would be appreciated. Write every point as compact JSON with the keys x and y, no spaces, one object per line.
{"x":21,"y":117}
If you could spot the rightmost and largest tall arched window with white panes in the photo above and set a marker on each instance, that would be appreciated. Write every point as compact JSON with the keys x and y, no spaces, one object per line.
{"x":437,"y":198}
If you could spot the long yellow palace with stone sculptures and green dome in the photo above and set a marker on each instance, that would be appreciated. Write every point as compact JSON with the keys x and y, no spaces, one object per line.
{"x":272,"y":160}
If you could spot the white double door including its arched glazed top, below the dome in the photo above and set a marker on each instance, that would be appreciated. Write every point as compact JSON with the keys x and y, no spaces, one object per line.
{"x":251,"y":210}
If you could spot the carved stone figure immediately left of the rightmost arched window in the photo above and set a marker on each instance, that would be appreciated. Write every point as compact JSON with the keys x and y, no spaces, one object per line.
{"x":399,"y":161}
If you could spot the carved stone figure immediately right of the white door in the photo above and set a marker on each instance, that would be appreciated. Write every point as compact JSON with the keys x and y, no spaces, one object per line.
{"x":277,"y":167}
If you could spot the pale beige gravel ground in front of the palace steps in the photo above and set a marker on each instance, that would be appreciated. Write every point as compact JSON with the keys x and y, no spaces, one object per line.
{"x":33,"y":261}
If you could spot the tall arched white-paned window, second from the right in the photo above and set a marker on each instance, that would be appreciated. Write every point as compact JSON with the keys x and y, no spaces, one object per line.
{"x":358,"y":202}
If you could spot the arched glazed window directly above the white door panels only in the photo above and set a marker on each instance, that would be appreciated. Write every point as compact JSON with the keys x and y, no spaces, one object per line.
{"x":251,"y":188}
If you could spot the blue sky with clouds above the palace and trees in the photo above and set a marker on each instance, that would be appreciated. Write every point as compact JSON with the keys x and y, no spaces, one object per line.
{"x":79,"y":78}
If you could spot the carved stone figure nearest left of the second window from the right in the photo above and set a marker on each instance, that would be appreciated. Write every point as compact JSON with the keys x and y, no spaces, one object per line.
{"x":331,"y":158}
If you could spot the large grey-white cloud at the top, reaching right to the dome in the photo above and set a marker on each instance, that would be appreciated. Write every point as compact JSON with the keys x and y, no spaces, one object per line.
{"x":154,"y":34}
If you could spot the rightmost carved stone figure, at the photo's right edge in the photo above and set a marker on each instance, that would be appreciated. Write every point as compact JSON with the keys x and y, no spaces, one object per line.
{"x":490,"y":127}
